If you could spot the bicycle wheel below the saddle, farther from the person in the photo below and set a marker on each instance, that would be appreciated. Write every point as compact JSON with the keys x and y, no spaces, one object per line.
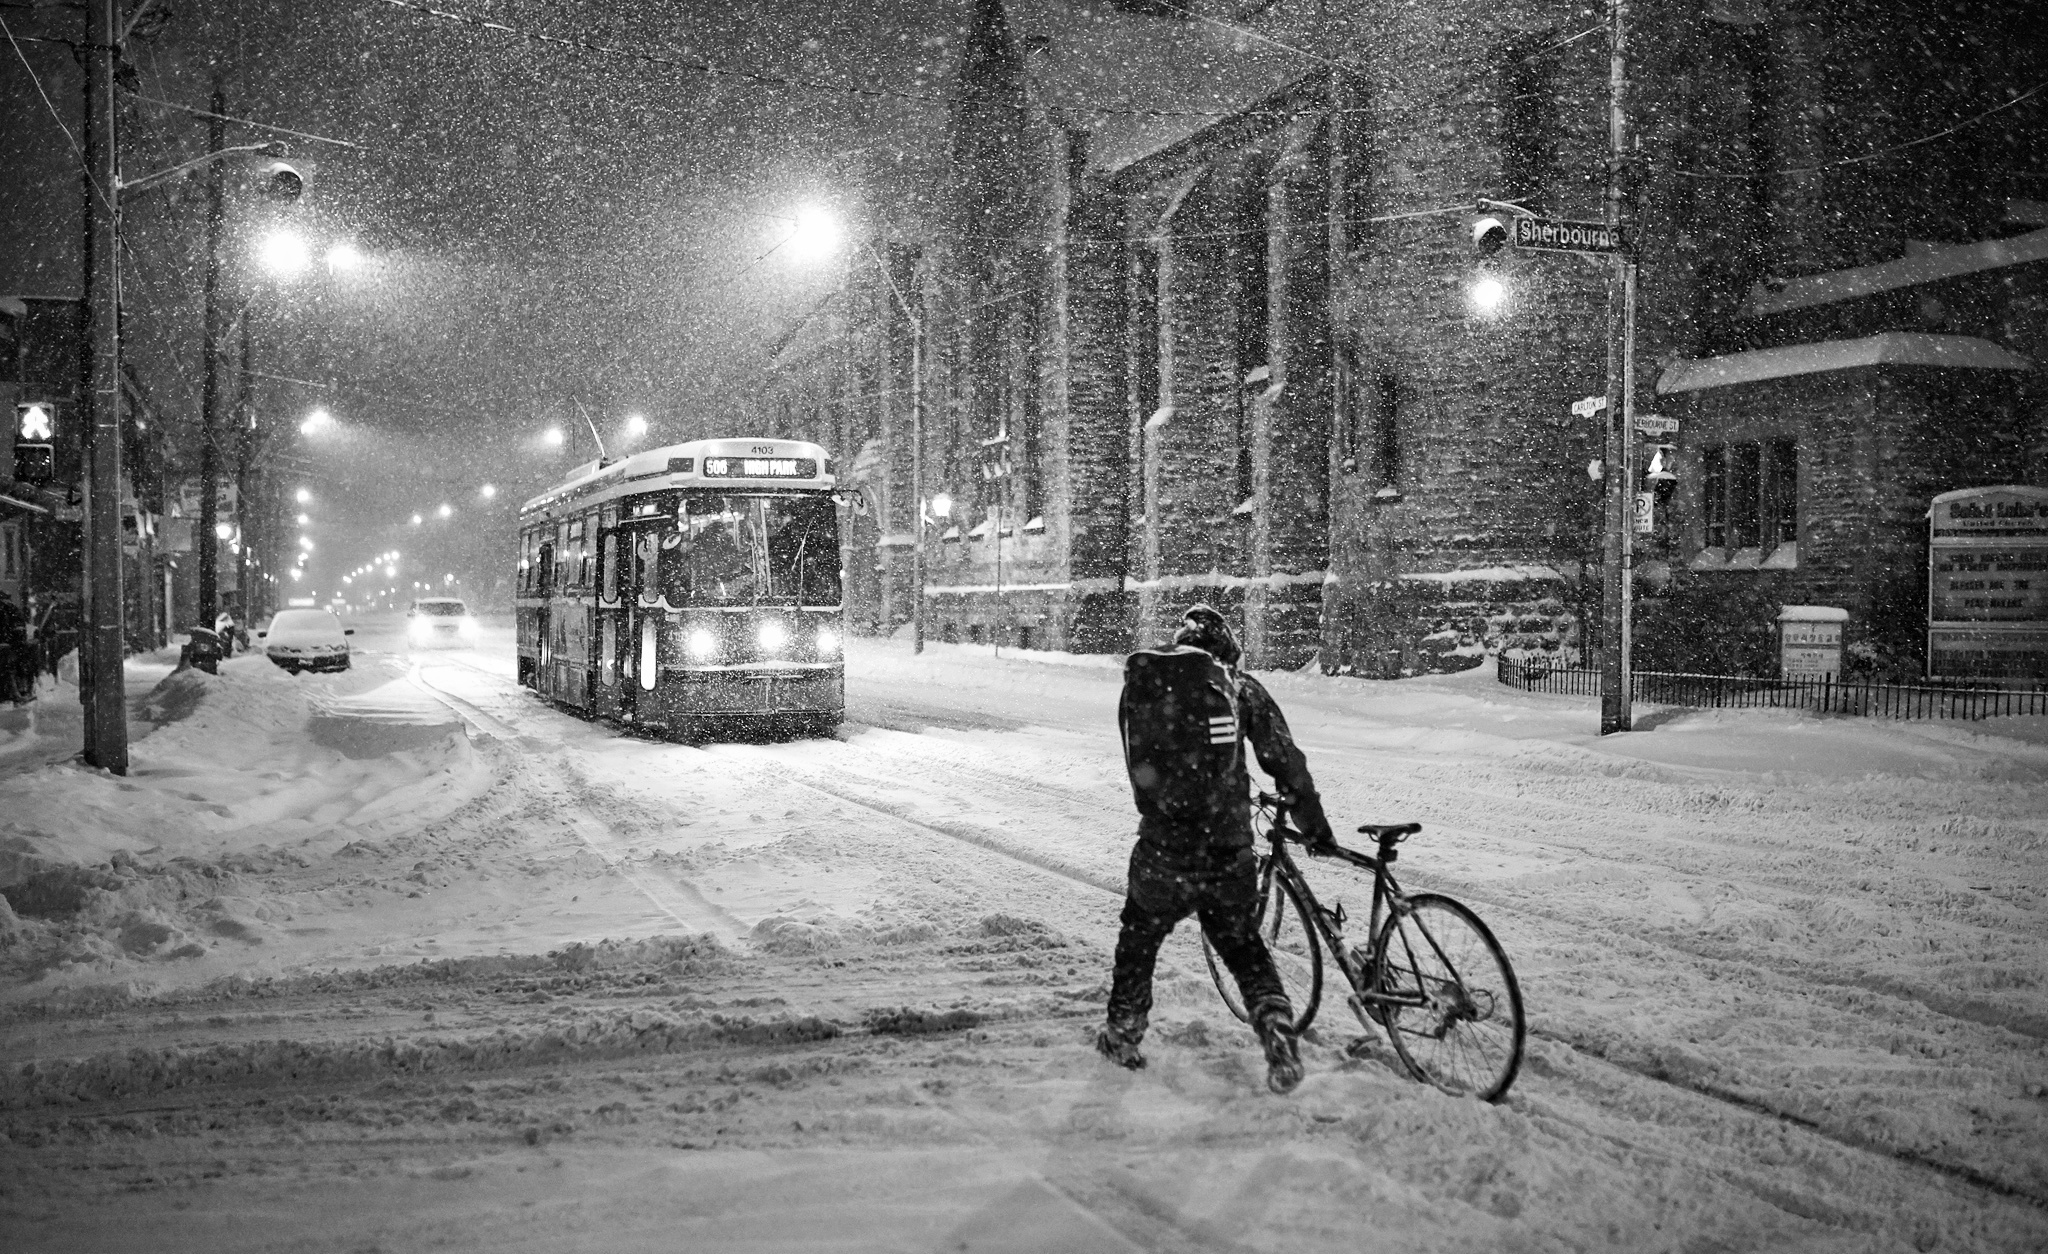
{"x":1451,"y":1001}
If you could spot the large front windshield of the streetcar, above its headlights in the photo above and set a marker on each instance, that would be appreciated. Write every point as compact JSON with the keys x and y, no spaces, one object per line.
{"x":751,"y":550}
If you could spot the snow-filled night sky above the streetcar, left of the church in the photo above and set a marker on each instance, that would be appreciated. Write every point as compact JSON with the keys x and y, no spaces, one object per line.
{"x":538,"y":220}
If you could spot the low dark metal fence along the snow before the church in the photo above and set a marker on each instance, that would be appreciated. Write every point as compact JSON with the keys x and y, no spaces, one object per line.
{"x":1828,"y":696}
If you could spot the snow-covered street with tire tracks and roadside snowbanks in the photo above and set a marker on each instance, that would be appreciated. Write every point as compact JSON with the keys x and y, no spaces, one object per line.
{"x":1785,"y":978}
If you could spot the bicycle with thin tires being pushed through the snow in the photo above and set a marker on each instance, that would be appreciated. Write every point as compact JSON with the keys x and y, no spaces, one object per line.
{"x":1431,"y":974}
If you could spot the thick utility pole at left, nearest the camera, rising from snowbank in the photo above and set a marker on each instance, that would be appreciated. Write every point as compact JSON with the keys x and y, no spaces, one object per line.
{"x":101,"y":651}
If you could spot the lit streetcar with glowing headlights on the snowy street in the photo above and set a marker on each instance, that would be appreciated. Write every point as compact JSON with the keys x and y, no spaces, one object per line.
{"x":689,"y":591}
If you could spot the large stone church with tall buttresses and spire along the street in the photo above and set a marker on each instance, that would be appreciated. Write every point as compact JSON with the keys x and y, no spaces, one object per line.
{"x":1197,"y":323}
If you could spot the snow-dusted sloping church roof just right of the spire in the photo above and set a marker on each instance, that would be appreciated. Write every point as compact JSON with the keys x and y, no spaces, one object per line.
{"x":1146,"y":83}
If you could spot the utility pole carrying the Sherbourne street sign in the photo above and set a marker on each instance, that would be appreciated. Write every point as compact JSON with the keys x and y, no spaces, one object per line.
{"x":1617,"y":608}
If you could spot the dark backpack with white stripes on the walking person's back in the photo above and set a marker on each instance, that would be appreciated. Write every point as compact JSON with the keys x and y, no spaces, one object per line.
{"x":1183,"y":745}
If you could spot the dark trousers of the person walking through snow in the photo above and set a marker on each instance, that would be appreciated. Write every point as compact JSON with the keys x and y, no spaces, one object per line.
{"x":1224,"y":894}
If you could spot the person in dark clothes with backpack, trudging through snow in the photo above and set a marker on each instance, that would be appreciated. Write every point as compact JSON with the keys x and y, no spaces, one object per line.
{"x":1185,"y":716}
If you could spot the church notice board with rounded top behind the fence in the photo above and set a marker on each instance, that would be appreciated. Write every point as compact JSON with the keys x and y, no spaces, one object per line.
{"x":1988,"y":585}
